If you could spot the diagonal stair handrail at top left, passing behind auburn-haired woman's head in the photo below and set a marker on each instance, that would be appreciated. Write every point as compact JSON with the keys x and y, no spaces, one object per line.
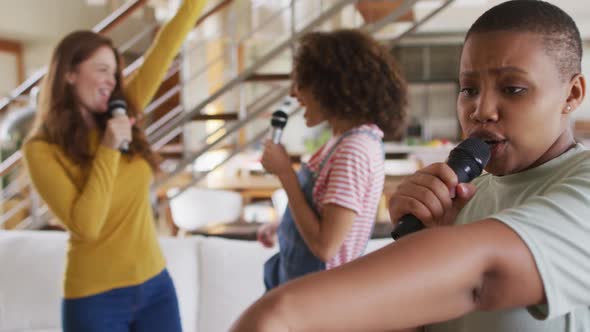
{"x":102,"y":27}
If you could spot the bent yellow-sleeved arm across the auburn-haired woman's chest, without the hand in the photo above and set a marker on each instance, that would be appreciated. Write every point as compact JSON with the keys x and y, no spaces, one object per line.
{"x":82,"y":210}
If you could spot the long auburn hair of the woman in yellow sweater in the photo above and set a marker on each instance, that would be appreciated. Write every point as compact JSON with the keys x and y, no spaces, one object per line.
{"x":58,"y":120}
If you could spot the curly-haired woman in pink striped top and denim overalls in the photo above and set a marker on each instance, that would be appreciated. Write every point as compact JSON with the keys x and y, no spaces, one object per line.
{"x":344,"y":78}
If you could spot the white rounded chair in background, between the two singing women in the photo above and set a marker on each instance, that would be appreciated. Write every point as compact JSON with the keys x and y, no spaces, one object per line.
{"x":197,"y":207}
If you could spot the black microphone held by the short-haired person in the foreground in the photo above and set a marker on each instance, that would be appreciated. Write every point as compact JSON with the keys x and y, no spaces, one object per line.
{"x":468,"y":159}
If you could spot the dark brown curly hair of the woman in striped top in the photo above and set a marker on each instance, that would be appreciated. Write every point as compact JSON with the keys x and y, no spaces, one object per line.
{"x":352,"y":76}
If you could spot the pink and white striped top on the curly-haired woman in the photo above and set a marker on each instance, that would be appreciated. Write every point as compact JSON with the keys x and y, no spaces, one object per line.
{"x":352,"y":178}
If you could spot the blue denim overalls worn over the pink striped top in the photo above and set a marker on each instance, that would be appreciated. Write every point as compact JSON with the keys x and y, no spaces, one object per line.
{"x":294,"y":258}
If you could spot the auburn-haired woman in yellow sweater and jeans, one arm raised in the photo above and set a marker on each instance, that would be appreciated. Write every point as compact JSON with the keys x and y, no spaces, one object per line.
{"x":116,"y":277}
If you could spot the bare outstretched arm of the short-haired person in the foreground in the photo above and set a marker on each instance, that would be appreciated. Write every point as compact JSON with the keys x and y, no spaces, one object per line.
{"x":431,"y":276}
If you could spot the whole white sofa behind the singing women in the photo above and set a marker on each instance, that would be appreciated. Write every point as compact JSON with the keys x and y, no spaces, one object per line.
{"x":215,"y":278}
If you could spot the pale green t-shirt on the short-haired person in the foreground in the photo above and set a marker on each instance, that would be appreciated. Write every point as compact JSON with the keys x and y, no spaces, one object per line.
{"x":549,"y":208}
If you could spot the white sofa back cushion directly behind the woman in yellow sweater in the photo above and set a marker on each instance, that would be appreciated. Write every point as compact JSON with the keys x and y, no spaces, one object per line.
{"x":32,"y":272}
